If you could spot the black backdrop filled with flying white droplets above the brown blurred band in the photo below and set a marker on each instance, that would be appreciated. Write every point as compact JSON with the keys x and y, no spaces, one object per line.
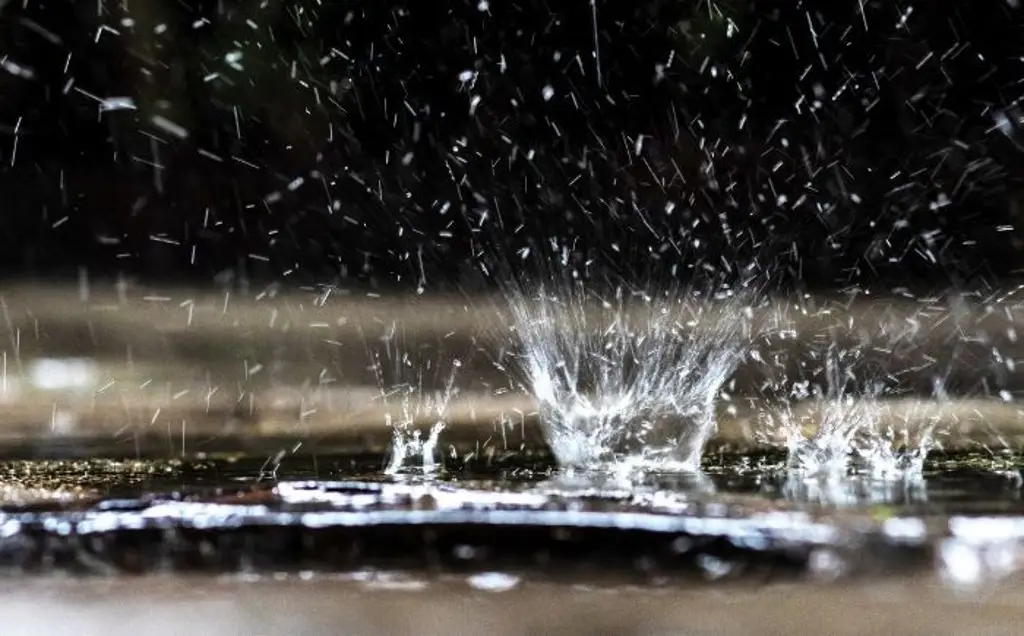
{"x":816,"y":145}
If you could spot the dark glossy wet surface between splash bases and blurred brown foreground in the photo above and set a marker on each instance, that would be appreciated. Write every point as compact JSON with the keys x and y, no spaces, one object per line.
{"x":744,"y":520}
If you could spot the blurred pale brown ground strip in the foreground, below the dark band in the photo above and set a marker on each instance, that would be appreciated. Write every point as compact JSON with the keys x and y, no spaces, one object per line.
{"x":370,"y":604}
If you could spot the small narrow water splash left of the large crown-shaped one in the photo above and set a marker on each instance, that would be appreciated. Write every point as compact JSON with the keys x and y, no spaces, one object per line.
{"x":409,"y":404}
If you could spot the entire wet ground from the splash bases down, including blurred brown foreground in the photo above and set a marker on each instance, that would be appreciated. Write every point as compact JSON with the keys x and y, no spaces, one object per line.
{"x":315,"y":545}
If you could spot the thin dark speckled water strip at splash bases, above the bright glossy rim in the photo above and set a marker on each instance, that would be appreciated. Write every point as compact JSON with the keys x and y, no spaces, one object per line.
{"x":951,"y":482}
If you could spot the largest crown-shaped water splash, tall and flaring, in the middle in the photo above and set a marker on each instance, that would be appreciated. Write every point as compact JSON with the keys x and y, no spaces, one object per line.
{"x":629,"y":381}
